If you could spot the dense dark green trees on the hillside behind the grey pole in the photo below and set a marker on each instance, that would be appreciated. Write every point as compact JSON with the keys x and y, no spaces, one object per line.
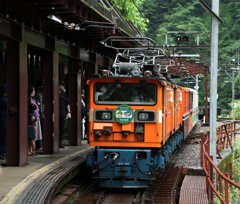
{"x":185,"y":15}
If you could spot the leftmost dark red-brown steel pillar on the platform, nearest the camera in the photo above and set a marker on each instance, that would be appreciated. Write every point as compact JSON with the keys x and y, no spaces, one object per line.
{"x":17,"y":142}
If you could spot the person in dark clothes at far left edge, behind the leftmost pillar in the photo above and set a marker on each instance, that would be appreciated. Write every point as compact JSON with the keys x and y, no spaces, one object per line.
{"x":3,"y":122}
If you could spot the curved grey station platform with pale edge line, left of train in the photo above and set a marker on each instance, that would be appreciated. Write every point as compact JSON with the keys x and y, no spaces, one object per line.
{"x":19,"y":184}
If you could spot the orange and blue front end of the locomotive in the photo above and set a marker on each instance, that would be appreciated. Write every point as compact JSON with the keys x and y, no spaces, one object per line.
{"x":125,"y":124}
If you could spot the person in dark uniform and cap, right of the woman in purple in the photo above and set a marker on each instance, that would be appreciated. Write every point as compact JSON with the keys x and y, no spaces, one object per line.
{"x":64,"y":111}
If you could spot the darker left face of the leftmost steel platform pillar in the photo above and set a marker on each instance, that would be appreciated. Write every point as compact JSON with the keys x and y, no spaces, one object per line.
{"x":13,"y":122}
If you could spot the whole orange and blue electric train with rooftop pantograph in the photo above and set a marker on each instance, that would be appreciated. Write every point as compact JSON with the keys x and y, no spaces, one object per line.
{"x":137,"y":118}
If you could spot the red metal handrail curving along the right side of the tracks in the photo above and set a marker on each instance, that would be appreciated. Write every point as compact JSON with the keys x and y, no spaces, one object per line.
{"x":208,"y":165}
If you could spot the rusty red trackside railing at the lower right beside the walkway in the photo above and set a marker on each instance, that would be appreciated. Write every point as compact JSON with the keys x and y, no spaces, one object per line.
{"x":226,"y":133}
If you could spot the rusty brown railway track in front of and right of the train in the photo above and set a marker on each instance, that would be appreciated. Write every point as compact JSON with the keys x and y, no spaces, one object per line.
{"x":161,"y":190}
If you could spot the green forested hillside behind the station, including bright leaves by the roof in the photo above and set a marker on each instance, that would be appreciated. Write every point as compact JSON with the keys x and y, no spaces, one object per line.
{"x":155,"y":17}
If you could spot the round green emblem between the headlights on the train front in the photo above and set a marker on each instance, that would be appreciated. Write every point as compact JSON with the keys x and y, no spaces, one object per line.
{"x":124,"y":114}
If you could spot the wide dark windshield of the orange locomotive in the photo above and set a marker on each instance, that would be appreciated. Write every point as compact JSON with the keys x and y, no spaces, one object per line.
{"x":125,"y":93}
